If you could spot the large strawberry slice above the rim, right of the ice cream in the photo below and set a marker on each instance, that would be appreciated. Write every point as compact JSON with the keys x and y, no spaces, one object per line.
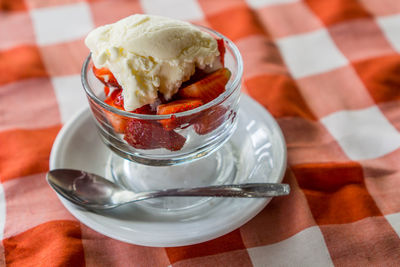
{"x":207,"y":89}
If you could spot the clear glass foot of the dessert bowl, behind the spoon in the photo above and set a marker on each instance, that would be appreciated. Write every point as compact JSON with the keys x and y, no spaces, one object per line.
{"x":215,"y":169}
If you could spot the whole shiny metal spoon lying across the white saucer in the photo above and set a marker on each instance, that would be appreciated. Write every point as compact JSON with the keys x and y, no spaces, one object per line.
{"x":92,"y":191}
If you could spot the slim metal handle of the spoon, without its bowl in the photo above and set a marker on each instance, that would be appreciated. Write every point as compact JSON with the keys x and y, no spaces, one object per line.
{"x":253,"y":190}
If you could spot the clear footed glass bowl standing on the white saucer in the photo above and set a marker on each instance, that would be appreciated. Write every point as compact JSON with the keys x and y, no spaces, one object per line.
{"x":148,"y":157}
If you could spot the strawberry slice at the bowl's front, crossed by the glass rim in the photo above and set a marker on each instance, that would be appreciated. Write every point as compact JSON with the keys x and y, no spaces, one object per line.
{"x":176,"y":107}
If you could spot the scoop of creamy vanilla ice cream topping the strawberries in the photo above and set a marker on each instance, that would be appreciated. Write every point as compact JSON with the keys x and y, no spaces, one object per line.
{"x":148,"y":54}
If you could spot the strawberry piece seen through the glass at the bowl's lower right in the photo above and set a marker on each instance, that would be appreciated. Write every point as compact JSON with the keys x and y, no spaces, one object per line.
{"x":210,"y":120}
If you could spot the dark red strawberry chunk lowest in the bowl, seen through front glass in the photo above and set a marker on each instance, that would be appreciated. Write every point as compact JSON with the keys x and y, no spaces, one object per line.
{"x":142,"y":134}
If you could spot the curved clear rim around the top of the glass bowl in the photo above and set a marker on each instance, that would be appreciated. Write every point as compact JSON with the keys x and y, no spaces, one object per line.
{"x":229,"y":90}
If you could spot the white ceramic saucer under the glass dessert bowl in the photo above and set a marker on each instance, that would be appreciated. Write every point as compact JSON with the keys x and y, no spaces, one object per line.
{"x":262,"y":158}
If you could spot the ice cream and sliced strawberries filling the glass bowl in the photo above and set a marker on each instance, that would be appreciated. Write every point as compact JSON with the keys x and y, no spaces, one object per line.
{"x":159,"y":66}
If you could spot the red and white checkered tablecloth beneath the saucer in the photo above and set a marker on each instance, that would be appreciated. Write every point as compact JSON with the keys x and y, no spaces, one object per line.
{"x":327,"y":70}
